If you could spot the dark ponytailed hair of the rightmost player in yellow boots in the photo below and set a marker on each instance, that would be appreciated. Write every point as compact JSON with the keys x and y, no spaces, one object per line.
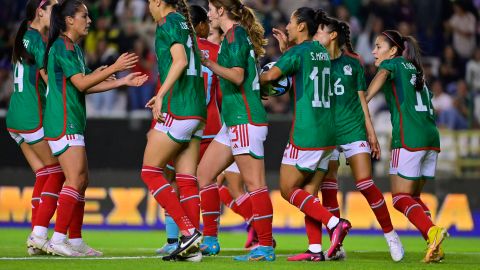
{"x":408,"y":48}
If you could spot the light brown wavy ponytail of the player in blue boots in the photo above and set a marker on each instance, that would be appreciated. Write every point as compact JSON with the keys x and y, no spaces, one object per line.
{"x":237,"y":11}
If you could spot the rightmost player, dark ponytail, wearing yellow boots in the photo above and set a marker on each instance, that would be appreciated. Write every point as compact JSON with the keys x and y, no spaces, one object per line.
{"x":415,"y":138}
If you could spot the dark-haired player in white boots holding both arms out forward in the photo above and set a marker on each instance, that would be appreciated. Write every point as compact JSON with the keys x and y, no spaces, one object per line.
{"x":64,"y":122}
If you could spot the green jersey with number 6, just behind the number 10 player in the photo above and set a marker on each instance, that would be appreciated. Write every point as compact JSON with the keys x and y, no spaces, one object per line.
{"x":347,"y":79}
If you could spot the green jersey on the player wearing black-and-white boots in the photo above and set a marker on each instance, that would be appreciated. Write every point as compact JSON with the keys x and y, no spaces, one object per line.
{"x":186,"y":99}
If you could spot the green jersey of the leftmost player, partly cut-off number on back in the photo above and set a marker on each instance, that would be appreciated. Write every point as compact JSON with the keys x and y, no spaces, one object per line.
{"x":27,"y":102}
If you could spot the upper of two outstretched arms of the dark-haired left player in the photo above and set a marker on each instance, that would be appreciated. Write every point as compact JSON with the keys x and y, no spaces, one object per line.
{"x":83,"y":82}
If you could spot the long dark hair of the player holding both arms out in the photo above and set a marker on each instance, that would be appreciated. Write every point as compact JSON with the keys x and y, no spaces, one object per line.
{"x":57,"y":22}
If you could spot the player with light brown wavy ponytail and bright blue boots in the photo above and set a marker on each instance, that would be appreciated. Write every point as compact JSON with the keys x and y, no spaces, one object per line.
{"x":245,"y":128}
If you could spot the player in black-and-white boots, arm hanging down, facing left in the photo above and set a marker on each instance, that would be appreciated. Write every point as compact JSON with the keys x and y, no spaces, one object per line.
{"x":180,"y":111}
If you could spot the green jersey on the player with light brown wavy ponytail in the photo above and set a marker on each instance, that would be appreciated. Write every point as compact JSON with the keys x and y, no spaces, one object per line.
{"x":241,"y":104}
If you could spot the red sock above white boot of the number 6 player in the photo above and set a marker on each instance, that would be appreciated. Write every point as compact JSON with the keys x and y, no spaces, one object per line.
{"x":376,"y":201}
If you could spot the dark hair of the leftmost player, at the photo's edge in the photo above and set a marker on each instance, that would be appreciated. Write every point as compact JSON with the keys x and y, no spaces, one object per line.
{"x":19,"y":52}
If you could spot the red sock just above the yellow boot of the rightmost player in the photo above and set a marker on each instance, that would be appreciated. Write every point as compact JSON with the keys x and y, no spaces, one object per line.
{"x":404,"y":203}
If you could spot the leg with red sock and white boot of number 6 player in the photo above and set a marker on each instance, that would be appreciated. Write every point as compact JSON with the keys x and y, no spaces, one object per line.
{"x":361,"y":165}
